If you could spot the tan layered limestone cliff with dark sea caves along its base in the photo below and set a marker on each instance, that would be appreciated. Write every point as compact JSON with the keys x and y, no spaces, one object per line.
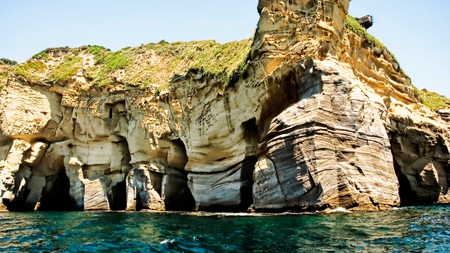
{"x":318,"y":119}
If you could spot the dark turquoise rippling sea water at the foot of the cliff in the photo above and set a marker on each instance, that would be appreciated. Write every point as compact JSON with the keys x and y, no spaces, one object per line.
{"x":418,"y":229}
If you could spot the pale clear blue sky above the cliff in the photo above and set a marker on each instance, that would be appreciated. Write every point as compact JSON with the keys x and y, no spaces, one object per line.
{"x":417,"y":32}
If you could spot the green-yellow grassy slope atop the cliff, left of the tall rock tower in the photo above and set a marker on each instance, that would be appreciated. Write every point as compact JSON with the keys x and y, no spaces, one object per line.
{"x":153,"y":63}
